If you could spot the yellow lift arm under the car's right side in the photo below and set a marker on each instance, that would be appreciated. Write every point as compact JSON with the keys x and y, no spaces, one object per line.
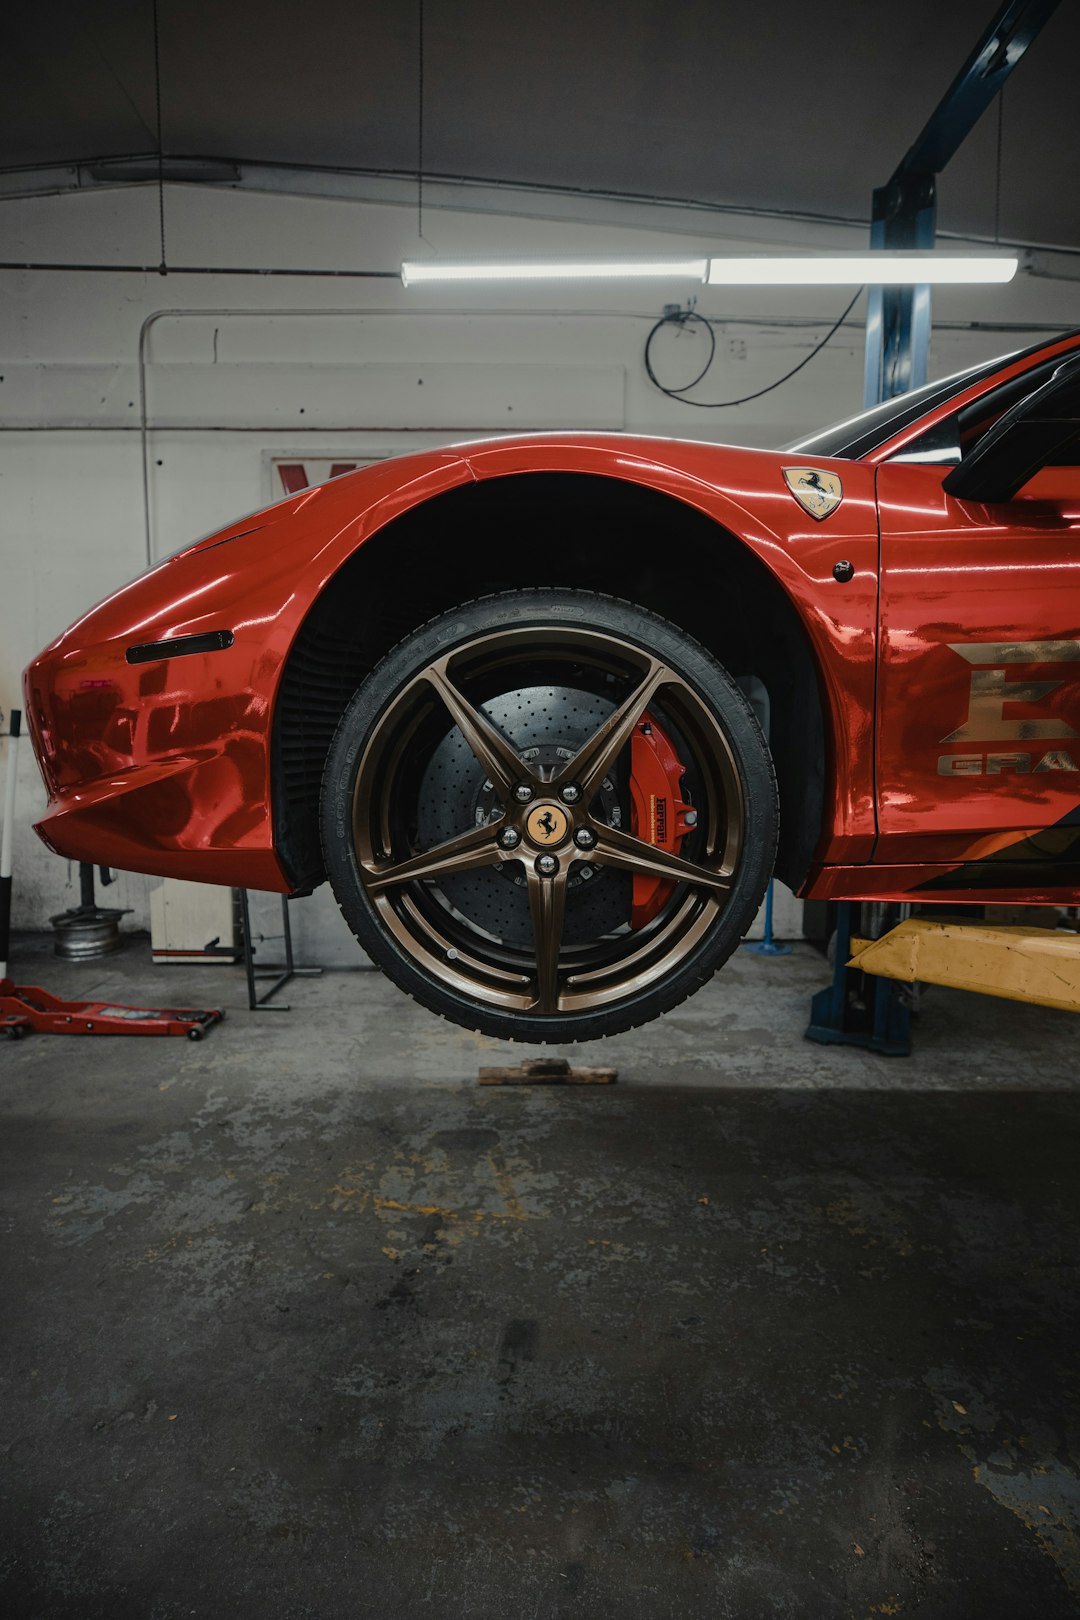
{"x":1021,"y":965}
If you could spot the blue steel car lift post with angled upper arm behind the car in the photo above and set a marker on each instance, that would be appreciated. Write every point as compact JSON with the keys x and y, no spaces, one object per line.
{"x":857,"y":1010}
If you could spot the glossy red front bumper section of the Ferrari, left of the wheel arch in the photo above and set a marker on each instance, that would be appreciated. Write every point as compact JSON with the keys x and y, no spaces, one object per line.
{"x":166,"y":767}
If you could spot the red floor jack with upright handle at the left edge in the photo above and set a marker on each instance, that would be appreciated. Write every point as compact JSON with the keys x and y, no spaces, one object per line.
{"x":27,"y":1008}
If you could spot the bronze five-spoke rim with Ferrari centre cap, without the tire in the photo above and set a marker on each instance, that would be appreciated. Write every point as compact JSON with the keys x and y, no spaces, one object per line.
{"x":404,"y":882}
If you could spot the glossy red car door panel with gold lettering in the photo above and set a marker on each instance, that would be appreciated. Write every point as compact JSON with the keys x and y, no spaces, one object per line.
{"x":979,"y":736}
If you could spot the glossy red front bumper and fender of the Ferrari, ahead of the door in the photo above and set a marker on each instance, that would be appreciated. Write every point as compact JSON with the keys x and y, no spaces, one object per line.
{"x":166,"y":767}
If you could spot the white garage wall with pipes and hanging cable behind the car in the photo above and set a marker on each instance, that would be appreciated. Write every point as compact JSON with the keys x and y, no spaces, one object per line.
{"x":242,"y":369}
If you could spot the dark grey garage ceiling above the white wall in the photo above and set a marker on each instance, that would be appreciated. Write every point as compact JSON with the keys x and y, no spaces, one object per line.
{"x":794,"y":104}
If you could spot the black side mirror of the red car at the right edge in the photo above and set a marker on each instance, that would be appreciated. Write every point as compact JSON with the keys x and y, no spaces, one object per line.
{"x":1024,"y":440}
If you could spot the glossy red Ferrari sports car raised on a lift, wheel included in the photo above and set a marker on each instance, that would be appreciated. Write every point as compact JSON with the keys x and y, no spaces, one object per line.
{"x":550,"y":712}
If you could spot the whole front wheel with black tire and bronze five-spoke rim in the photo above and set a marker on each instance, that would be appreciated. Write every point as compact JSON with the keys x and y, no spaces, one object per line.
{"x":487,"y":842}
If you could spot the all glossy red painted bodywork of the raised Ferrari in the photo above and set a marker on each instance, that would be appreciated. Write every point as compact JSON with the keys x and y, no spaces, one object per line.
{"x":166,"y":767}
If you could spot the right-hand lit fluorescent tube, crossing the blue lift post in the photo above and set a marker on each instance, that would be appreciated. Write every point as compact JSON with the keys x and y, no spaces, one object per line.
{"x":854,"y":270}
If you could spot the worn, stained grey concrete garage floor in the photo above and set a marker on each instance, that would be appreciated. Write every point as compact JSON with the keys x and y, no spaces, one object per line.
{"x":300,"y":1323}
